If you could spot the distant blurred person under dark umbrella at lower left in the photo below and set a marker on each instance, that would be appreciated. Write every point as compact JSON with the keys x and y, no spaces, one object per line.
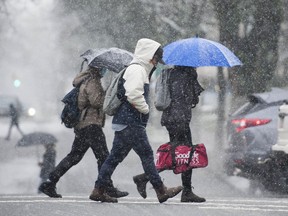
{"x":48,"y":162}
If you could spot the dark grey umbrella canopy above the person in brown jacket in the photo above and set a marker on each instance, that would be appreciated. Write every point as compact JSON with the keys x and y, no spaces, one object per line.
{"x":113,"y":59}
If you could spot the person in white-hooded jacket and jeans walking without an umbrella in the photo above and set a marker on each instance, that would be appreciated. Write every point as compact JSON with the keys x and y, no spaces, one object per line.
{"x":130,"y":122}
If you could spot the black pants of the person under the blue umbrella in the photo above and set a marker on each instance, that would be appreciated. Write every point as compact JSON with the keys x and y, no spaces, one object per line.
{"x":181,"y":134}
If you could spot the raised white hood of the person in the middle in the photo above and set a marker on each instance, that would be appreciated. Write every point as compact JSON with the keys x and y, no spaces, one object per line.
{"x":144,"y":52}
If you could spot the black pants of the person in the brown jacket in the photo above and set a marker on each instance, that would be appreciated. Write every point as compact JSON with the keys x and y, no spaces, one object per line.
{"x":92,"y":137}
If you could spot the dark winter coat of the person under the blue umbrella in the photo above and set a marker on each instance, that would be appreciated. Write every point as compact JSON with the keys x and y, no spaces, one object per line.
{"x":184,"y":92}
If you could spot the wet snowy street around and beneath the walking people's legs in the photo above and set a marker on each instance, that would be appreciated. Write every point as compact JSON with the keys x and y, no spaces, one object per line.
{"x":20,"y":178}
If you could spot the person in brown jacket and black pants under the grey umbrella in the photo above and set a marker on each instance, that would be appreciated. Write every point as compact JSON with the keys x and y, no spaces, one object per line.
{"x":88,"y":132}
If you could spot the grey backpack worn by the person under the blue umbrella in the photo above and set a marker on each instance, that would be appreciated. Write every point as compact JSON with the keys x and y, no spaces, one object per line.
{"x":162,"y":92}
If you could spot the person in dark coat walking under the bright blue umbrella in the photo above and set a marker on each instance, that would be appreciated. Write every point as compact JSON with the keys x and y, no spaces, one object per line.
{"x":184,"y":92}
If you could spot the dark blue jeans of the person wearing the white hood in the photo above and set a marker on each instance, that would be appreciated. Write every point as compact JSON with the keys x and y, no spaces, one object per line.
{"x":132,"y":137}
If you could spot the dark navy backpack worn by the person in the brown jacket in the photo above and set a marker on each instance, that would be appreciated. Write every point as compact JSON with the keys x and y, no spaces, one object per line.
{"x":71,"y":114}
